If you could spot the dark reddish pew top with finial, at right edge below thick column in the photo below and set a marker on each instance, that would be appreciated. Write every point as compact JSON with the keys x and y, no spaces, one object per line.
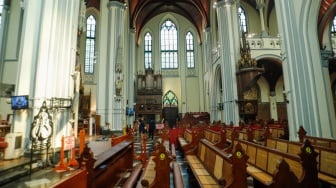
{"x":326,"y":142}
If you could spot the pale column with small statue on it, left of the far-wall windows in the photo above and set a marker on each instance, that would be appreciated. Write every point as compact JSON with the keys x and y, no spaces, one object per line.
{"x":109,"y":102}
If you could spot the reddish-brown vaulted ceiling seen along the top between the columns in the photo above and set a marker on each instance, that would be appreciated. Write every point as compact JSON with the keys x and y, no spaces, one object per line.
{"x":198,"y":11}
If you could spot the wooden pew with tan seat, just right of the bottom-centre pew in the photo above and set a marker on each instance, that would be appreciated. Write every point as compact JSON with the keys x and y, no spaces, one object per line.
{"x":214,"y":168}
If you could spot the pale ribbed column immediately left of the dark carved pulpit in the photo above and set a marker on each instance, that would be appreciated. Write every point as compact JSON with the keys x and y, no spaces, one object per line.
{"x":229,"y":53}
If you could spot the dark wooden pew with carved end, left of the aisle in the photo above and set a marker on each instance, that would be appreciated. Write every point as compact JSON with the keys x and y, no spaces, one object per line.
{"x":104,"y":169}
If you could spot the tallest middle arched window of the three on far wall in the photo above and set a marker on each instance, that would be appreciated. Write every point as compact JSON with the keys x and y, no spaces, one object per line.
{"x":168,"y":46}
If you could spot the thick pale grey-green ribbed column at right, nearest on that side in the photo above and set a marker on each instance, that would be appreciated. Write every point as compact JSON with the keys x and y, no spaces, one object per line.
{"x":306,"y":88}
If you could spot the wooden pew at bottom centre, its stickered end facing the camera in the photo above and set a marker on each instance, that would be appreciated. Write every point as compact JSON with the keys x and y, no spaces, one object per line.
{"x":157,"y":171}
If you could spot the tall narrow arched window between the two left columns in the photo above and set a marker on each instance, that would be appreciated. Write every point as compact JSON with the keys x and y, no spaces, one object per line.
{"x":90,"y":45}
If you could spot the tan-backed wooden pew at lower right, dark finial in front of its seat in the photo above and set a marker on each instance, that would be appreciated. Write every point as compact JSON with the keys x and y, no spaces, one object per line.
{"x":273,"y":168}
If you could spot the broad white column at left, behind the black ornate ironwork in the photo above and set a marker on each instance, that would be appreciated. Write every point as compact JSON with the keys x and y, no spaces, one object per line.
{"x":47,"y":58}
